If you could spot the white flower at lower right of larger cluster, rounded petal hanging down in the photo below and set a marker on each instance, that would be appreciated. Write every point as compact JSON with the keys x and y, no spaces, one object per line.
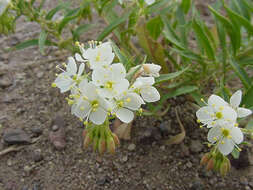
{"x":125,"y":104}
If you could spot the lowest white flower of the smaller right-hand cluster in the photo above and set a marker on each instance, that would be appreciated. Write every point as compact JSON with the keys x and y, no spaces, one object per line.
{"x":226,"y":137}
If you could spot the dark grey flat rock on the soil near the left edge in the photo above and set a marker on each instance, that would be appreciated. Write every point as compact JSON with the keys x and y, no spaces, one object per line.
{"x":16,"y":136}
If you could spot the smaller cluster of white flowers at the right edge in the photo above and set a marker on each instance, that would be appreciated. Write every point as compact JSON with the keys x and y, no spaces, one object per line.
{"x":221,"y":117}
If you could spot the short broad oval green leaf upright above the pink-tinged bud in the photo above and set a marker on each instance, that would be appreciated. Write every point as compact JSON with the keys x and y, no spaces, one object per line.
{"x":155,"y":27}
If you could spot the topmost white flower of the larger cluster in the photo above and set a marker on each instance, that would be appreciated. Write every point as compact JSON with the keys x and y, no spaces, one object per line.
{"x":99,"y":56}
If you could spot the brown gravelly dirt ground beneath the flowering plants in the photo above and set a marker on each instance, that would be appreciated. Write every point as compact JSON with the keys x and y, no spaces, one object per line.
{"x":27,"y":101}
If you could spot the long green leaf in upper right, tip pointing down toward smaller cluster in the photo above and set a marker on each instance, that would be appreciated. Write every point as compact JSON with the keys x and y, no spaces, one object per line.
{"x":203,"y":39}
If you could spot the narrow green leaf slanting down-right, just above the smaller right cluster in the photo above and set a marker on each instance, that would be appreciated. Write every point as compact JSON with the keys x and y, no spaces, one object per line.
{"x":240,"y":72}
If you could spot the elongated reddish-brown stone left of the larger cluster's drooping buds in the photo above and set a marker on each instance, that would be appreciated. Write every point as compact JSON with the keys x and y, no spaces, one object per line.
{"x":57,"y":138}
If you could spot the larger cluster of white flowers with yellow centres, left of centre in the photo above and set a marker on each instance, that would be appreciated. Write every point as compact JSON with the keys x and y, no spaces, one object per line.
{"x":104,"y":91}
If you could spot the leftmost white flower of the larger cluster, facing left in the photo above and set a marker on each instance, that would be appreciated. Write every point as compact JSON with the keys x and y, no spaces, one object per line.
{"x":69,"y":78}
